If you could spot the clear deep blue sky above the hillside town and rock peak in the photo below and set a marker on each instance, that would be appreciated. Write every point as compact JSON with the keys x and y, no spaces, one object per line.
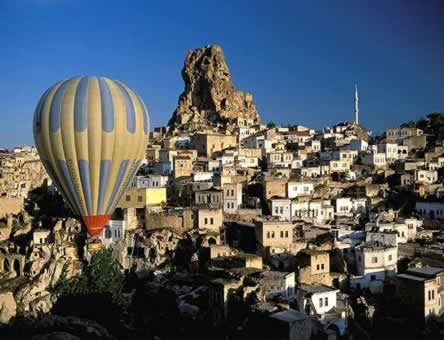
{"x":298,"y":58}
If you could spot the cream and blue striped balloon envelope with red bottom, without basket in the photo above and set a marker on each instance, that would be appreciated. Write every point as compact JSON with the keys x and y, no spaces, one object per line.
{"x":91,"y":134}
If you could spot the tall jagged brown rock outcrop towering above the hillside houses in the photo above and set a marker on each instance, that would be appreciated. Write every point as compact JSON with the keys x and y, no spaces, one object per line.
{"x":210,"y":98}
